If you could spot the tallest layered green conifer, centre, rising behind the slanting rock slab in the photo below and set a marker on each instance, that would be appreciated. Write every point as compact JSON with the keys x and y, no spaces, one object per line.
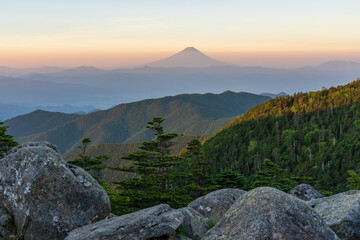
{"x":155,"y":180}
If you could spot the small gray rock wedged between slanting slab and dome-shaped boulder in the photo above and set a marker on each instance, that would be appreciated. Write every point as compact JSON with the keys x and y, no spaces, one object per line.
{"x":194,"y":224}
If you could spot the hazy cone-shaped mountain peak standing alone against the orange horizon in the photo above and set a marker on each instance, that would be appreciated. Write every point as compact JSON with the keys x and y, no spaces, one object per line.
{"x":190,"y":57}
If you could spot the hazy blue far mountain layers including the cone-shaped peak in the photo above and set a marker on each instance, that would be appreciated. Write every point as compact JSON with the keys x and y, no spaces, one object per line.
{"x":187,"y":71}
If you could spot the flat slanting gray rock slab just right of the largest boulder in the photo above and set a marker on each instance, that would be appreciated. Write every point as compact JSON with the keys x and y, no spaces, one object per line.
{"x":151,"y":223}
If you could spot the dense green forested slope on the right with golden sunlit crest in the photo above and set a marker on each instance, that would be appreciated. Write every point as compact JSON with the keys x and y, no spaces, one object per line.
{"x":314,"y":134}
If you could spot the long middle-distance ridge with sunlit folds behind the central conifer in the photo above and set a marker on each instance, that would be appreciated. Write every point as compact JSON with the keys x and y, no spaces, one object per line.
{"x":189,"y":114}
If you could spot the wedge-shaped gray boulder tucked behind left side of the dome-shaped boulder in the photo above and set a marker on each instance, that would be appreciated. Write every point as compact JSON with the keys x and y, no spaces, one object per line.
{"x":215,"y":204}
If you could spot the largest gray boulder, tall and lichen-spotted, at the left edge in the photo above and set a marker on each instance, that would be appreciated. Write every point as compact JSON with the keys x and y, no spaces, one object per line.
{"x":46,"y":196}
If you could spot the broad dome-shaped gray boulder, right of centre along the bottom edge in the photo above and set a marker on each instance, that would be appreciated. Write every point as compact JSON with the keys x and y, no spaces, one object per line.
{"x":267,"y":213}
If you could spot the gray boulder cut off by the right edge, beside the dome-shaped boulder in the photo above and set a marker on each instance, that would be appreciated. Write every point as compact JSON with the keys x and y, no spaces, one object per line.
{"x":341,"y":212}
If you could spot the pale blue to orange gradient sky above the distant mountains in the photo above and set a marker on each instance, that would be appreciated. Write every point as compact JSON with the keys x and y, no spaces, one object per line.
{"x":110,"y":33}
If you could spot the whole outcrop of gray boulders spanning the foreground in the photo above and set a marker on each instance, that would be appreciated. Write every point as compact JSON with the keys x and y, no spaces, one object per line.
{"x":43,"y":197}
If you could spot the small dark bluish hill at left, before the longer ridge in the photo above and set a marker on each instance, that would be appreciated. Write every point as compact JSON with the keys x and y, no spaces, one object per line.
{"x":37,"y":122}
